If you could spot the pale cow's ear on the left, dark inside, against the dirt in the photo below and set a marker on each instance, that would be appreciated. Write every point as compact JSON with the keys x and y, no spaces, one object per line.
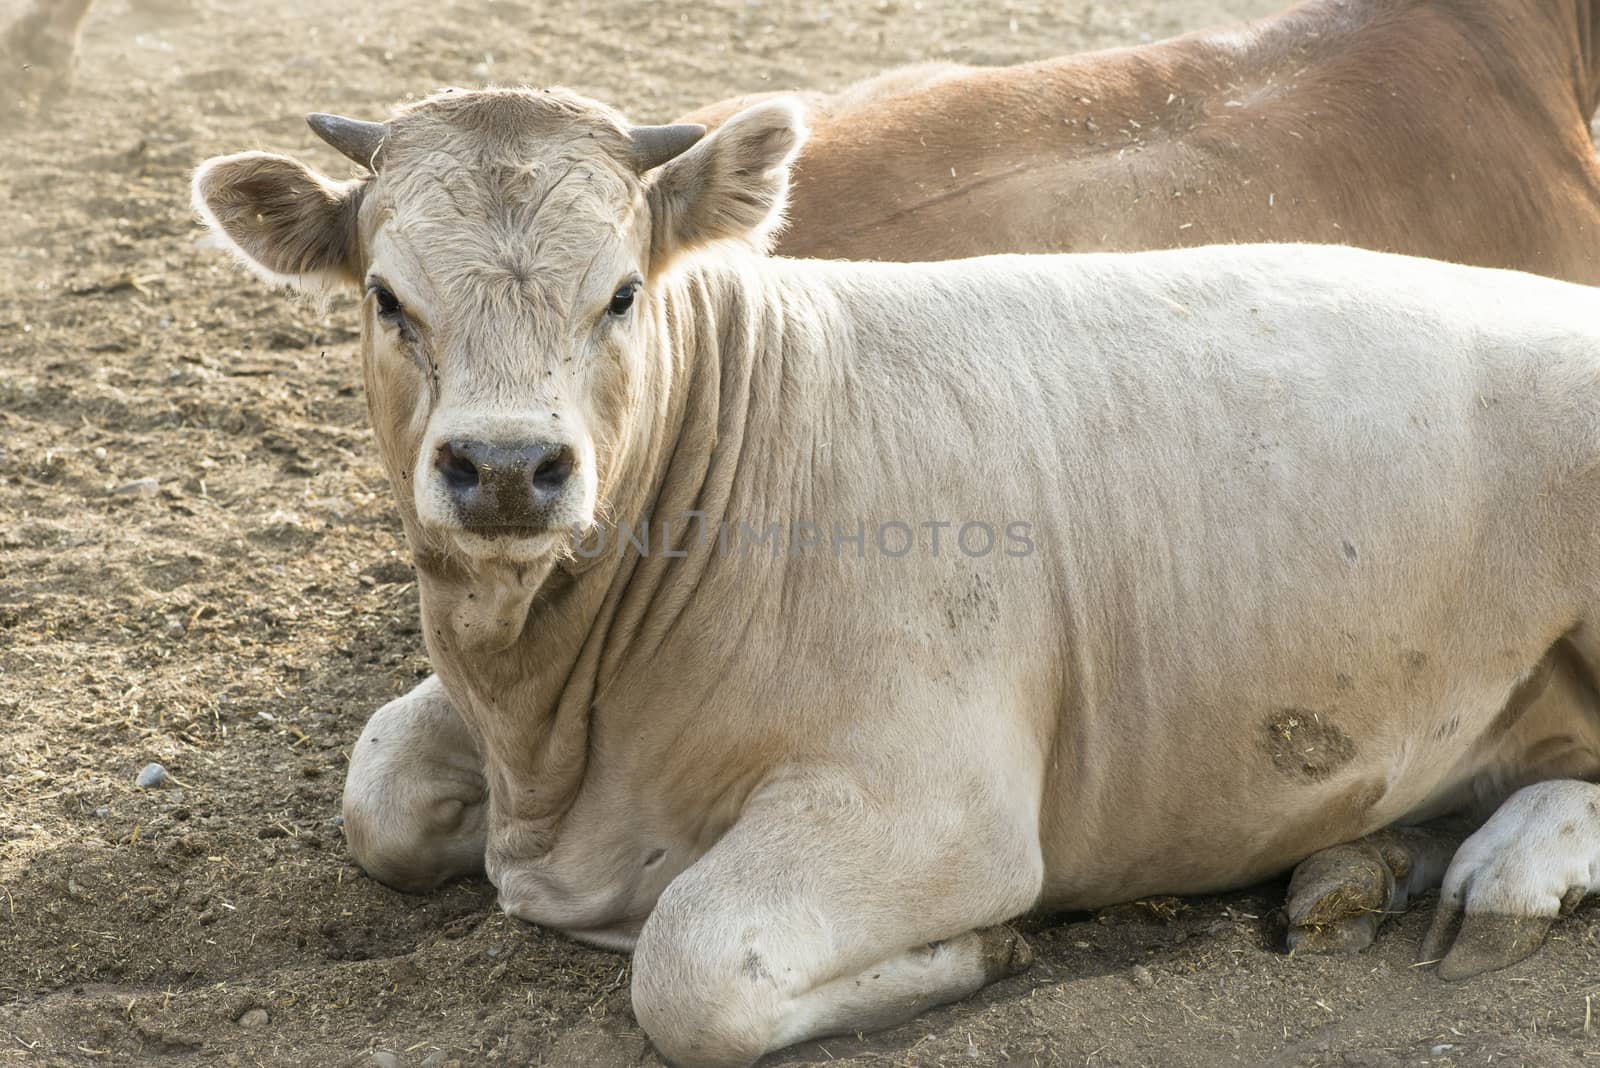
{"x":282,"y":220}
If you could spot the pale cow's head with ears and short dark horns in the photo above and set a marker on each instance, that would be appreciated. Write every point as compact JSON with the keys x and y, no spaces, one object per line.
{"x":506,"y":242}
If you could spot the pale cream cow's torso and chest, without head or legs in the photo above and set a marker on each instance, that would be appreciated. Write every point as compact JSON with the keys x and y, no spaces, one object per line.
{"x":1303,"y":520}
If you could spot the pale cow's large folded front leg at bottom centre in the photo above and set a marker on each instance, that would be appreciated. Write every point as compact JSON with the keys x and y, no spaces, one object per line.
{"x":833,"y":907}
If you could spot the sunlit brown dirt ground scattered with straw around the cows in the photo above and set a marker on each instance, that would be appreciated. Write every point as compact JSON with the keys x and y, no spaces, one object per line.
{"x":242,"y":615}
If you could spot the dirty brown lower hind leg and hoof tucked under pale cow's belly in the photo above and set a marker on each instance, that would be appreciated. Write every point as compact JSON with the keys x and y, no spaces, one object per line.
{"x":1340,"y":896}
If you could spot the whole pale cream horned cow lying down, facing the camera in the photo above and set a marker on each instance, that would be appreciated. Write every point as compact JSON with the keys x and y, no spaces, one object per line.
{"x":1287,"y":546}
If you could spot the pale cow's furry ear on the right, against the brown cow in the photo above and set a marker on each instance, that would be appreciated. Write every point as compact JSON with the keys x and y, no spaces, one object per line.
{"x":730,"y":188}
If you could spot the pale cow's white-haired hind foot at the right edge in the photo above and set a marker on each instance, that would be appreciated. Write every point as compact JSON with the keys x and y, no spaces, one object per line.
{"x":1534,"y":861}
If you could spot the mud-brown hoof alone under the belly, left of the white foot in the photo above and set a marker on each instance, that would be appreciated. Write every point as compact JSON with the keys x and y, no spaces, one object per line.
{"x":1338,"y":898}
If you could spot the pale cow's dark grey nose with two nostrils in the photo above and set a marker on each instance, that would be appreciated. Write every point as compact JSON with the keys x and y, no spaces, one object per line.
{"x":498,"y":487}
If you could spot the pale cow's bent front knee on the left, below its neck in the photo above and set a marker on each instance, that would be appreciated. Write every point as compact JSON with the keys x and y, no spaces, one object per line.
{"x":415,"y":797}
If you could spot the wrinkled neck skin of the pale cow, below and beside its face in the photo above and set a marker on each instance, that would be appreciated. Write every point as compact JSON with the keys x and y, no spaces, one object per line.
{"x":527,"y":652}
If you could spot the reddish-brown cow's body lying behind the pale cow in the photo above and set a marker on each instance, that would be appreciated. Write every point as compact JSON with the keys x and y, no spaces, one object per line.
{"x":1438,"y":129}
